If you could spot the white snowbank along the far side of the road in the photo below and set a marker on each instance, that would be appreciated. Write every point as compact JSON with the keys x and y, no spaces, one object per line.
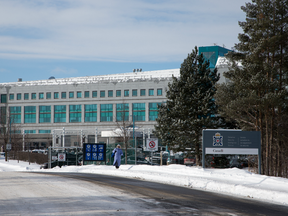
{"x":237,"y":182}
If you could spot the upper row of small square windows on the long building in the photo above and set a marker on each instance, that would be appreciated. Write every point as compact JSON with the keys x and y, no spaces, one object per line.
{"x":63,"y":95}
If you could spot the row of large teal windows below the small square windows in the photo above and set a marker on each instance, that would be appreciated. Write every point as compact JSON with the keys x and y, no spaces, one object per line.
{"x":90,"y":113}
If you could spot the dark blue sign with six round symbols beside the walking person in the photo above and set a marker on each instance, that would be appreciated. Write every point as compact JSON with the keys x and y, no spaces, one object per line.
{"x":94,"y":152}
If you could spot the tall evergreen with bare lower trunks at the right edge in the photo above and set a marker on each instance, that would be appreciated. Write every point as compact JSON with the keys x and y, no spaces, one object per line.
{"x":256,"y":96}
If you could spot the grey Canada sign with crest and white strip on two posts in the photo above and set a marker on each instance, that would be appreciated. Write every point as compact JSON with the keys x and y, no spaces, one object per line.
{"x":235,"y":142}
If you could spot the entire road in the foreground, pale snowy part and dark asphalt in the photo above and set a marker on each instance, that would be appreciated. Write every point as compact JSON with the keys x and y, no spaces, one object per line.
{"x":93,"y":194}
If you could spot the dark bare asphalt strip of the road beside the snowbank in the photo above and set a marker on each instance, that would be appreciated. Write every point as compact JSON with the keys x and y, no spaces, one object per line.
{"x":173,"y":200}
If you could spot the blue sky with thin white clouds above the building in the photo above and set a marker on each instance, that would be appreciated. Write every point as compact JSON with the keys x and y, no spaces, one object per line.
{"x":71,"y":38}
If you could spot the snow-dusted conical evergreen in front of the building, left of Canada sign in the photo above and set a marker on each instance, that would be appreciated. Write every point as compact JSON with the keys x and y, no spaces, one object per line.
{"x":190,"y":106}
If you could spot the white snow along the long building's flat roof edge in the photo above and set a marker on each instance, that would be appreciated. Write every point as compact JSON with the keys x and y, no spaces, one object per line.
{"x":123,"y":77}
